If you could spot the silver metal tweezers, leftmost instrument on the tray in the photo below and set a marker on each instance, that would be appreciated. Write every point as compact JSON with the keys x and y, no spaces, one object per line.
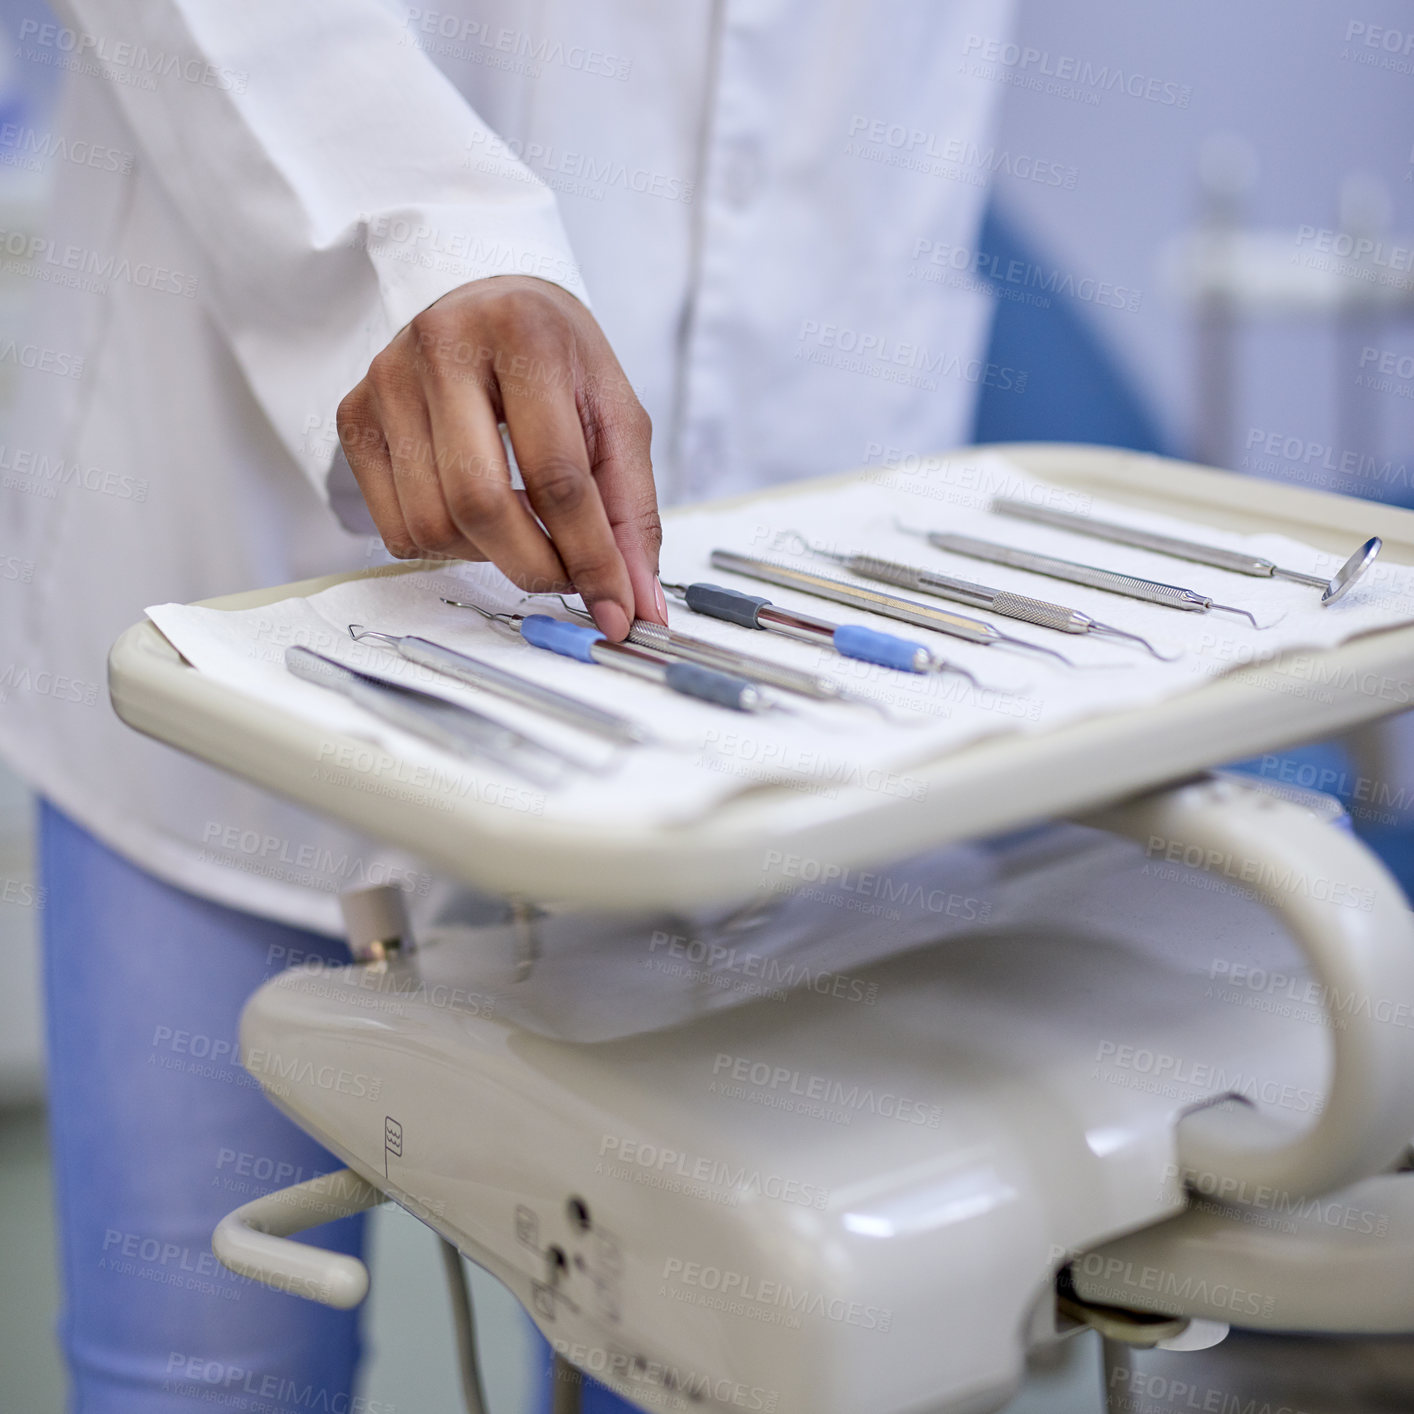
{"x":456,"y":729}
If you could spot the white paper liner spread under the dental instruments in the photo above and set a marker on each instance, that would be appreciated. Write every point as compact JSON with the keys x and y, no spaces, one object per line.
{"x":822,"y":752}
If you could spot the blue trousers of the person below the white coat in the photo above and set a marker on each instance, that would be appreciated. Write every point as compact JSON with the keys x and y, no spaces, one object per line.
{"x":158,"y":1133}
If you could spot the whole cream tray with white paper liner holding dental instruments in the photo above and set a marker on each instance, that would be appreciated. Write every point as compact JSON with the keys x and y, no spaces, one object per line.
{"x":964,"y":740}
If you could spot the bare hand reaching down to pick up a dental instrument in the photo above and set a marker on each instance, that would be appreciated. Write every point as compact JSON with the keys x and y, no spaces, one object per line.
{"x":421,"y":435}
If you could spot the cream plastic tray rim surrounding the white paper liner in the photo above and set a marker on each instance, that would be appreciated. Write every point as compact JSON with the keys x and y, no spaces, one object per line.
{"x":995,"y":785}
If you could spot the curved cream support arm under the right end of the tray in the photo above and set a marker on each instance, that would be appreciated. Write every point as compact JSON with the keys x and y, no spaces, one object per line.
{"x":1362,"y":959}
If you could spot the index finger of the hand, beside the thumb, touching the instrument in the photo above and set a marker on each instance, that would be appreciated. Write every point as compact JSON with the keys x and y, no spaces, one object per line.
{"x":544,"y":419}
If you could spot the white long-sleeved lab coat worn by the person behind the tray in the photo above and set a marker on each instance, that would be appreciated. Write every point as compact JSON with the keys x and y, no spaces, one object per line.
{"x":739,"y":187}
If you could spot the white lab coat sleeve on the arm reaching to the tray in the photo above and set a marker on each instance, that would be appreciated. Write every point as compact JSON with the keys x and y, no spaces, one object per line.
{"x":334,"y":180}
